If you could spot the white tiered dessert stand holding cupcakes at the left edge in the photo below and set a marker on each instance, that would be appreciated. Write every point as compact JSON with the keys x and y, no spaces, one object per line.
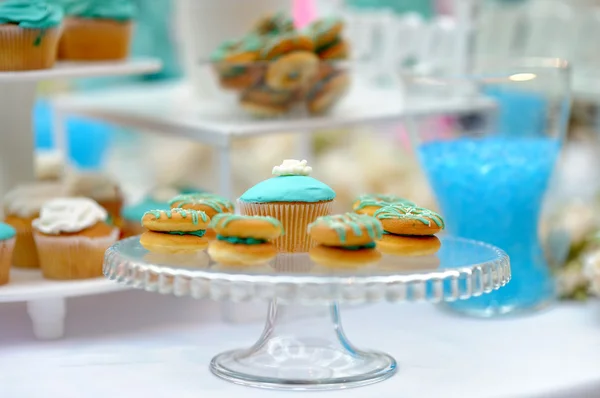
{"x":45,"y":299}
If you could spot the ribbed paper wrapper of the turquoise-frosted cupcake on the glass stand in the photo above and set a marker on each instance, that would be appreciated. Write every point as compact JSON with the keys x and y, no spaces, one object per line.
{"x":295,"y":218}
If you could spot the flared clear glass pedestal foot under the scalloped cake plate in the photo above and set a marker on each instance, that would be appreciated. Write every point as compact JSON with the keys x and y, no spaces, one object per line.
{"x":286,"y":357}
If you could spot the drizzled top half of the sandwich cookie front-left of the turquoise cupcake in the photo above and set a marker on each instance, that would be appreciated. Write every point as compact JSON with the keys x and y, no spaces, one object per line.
{"x":257,"y":227}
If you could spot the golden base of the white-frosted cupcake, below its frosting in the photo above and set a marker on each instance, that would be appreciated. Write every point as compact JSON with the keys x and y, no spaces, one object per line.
{"x":73,"y":257}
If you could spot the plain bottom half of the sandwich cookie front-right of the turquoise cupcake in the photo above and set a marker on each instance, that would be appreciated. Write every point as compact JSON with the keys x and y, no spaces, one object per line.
{"x":342,"y":257}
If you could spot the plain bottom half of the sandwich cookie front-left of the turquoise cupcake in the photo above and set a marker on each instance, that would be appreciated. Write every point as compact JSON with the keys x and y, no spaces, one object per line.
{"x":227,"y":253}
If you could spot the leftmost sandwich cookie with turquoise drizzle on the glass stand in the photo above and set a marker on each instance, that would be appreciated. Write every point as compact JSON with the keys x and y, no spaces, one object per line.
{"x":175,"y":231}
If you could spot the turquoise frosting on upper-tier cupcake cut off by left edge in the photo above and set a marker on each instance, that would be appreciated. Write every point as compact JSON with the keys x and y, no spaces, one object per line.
{"x":30,"y":14}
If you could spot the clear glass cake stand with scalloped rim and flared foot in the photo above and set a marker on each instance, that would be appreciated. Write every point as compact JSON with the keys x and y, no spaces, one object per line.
{"x":322,"y":358}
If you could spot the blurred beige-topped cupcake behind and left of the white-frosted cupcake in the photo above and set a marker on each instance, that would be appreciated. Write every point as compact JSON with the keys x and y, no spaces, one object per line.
{"x":21,"y":206}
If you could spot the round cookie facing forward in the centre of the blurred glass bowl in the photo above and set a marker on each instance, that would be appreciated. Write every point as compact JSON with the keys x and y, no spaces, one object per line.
{"x":292,"y":71}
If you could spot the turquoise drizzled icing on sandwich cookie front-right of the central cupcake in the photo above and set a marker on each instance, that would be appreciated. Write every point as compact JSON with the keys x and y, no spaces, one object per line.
{"x":341,"y":223}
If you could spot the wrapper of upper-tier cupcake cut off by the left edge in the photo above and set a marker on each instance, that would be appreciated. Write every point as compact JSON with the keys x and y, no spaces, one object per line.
{"x":27,"y":49}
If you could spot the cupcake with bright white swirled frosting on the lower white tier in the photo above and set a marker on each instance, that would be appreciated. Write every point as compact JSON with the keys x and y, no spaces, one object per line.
{"x":72,"y":235}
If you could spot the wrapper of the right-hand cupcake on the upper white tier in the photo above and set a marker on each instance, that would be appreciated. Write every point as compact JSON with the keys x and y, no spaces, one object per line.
{"x":94,"y":39}
